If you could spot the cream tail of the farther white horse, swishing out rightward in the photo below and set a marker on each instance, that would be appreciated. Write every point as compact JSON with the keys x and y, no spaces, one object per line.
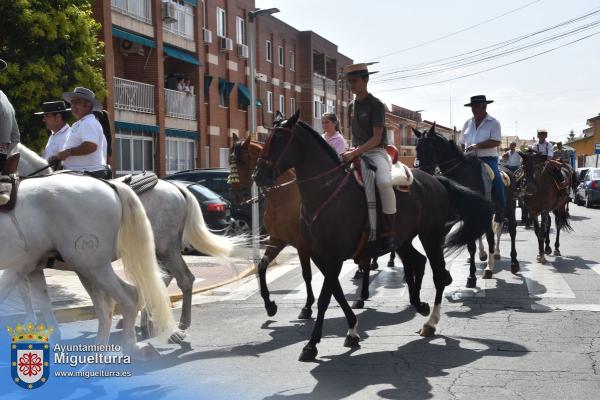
{"x":196,"y":233}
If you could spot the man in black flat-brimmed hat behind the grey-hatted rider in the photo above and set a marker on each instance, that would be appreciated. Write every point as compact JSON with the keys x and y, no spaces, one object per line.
{"x":54,"y":115}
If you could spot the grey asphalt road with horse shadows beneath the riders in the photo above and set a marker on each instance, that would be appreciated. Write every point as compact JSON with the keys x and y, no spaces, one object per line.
{"x":535,"y":335}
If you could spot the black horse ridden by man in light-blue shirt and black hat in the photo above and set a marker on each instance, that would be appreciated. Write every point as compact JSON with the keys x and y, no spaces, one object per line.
{"x":434,"y":150}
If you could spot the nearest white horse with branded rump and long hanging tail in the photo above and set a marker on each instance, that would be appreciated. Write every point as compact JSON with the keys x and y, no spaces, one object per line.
{"x":89,"y":224}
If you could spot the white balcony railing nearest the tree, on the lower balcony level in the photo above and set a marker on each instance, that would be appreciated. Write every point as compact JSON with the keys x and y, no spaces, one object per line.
{"x":133,"y":96}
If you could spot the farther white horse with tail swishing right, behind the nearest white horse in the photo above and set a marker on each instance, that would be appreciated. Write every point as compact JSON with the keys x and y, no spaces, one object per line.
{"x":174,"y":214}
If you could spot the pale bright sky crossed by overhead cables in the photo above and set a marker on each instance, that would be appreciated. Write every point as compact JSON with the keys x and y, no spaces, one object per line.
{"x":557,"y":91}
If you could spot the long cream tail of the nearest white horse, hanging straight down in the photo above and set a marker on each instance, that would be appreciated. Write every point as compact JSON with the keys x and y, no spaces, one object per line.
{"x":136,"y":249}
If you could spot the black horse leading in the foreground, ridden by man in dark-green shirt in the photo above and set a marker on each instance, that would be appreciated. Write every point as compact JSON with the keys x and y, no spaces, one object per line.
{"x":334,"y":214}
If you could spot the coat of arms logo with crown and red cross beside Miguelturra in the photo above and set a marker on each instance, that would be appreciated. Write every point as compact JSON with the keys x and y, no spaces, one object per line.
{"x":30,"y":355}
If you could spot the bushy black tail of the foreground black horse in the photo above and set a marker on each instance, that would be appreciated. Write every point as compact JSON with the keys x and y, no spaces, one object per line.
{"x":474,"y":210}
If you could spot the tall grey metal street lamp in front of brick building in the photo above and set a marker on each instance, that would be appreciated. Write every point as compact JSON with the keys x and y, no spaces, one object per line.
{"x":252,"y":15}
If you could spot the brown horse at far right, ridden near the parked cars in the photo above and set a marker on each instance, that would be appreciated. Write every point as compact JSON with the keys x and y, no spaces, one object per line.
{"x":542,"y":196}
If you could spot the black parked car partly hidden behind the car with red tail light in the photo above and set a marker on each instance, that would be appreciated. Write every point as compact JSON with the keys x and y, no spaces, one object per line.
{"x":216,"y":180}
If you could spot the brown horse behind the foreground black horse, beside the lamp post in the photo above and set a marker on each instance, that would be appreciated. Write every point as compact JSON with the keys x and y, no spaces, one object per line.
{"x":281,"y":218}
